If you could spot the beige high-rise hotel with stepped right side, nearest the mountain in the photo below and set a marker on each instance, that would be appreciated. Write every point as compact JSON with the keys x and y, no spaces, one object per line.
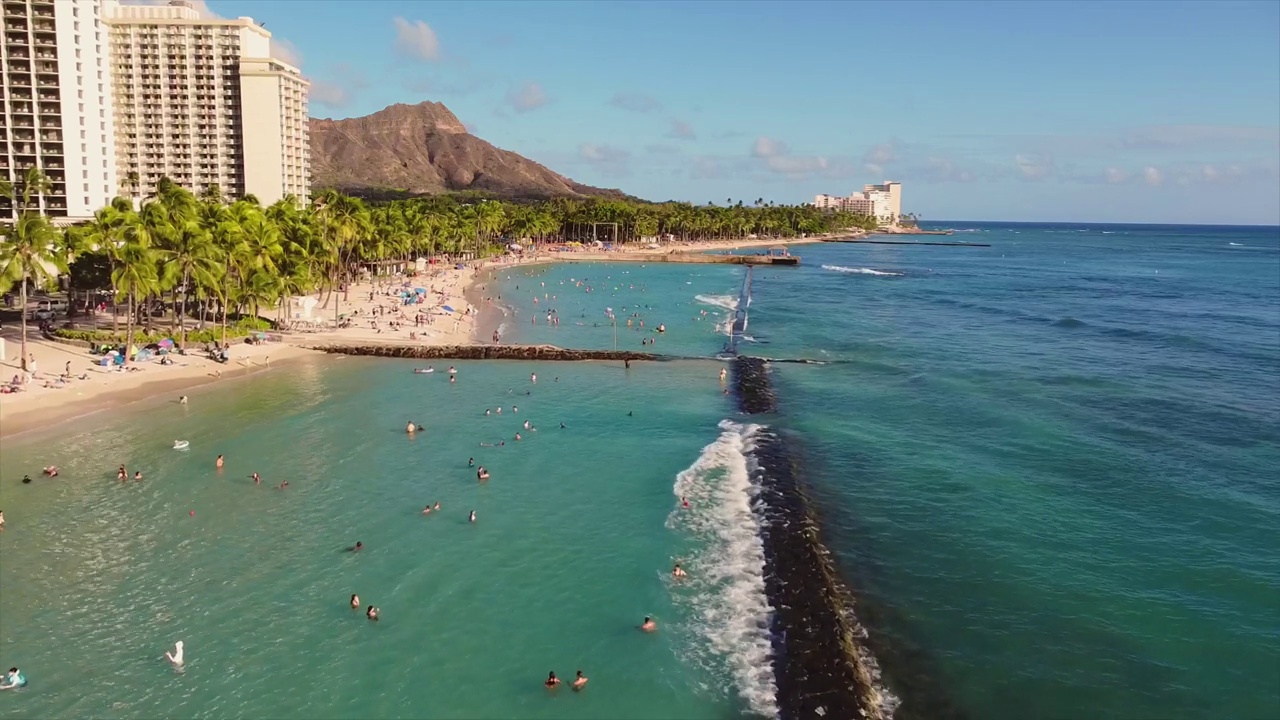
{"x":202,"y":102}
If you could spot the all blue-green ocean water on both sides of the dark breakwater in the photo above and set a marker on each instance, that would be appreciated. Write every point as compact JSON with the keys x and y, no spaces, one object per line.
{"x":1046,"y":470}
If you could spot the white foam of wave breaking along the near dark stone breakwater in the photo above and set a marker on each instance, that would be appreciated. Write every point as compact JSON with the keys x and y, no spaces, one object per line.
{"x":725,"y":589}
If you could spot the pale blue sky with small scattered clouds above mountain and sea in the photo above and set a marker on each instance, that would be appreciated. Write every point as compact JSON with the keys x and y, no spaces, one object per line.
{"x":1094,"y":112}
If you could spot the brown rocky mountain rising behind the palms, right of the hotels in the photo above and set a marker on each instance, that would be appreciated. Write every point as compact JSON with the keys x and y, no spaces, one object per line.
{"x":426,"y":149}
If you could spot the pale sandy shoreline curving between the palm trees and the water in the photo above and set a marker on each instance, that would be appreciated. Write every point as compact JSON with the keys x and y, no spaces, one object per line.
{"x":476,"y":320}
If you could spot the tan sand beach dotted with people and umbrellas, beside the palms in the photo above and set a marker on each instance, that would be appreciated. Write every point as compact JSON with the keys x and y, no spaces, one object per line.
{"x":373,"y":313}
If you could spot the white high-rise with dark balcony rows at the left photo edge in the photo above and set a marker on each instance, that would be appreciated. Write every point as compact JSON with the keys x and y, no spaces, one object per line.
{"x":56,"y":111}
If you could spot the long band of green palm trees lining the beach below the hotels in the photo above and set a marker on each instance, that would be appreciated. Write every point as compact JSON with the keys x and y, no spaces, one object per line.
{"x":211,"y":256}
